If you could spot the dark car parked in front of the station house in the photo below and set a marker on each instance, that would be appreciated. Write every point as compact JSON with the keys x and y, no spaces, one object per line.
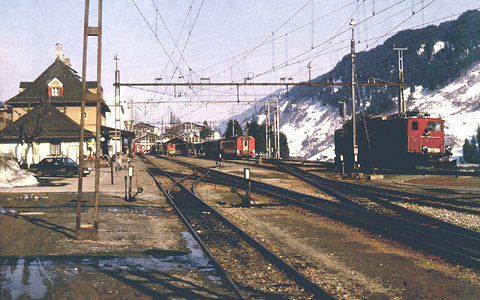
{"x":57,"y":166}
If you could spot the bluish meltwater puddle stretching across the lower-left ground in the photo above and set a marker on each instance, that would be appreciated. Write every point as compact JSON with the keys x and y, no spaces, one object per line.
{"x":32,"y":277}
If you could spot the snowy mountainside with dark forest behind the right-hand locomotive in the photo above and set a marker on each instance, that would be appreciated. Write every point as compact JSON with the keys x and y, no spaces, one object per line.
{"x":442,"y":73}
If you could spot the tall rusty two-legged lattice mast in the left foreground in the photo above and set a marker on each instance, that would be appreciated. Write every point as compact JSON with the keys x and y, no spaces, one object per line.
{"x":90,"y":232}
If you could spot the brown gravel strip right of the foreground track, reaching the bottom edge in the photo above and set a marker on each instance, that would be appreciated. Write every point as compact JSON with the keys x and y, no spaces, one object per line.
{"x":349,"y":263}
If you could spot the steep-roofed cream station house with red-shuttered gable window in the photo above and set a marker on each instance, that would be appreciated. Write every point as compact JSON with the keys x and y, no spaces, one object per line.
{"x":58,"y":88}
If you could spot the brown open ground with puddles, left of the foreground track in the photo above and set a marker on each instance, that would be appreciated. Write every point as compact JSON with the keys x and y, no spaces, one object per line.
{"x":143,"y":252}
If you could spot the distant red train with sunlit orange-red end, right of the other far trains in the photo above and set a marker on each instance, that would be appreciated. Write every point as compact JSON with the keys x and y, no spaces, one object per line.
{"x":242,"y":146}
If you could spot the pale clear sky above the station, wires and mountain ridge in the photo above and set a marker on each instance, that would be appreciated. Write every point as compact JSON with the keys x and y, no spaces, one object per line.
{"x":224,"y":40}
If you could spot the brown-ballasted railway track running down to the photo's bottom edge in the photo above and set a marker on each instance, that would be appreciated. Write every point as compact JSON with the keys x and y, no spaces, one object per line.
{"x":253,"y":271}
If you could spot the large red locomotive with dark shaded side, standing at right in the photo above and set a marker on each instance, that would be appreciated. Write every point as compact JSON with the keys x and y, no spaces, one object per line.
{"x":399,"y":142}
